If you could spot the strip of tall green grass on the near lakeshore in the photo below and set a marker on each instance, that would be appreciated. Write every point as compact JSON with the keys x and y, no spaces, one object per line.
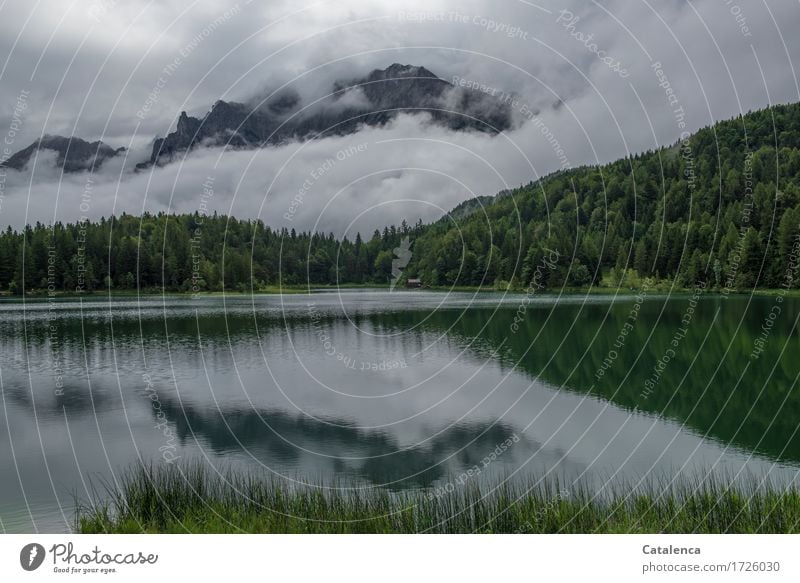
{"x":175,"y":499}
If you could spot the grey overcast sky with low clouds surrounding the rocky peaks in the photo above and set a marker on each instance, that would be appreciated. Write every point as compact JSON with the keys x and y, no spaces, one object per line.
{"x":96,"y":69}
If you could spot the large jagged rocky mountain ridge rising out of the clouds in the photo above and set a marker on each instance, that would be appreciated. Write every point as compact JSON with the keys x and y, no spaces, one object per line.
{"x":372,"y":101}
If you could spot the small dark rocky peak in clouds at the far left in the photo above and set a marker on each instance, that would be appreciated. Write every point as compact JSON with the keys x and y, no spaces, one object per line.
{"x":73,"y":154}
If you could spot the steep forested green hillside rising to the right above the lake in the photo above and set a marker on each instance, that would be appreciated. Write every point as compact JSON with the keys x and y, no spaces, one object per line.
{"x":720,"y":209}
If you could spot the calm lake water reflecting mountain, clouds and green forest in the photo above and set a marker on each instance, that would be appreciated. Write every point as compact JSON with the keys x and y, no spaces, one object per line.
{"x":395,"y":390}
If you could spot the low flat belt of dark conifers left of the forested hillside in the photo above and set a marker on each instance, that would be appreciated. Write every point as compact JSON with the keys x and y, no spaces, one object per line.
{"x":187,"y":253}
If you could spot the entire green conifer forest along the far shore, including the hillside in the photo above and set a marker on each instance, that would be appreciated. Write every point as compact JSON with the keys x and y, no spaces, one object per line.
{"x":721,"y":208}
